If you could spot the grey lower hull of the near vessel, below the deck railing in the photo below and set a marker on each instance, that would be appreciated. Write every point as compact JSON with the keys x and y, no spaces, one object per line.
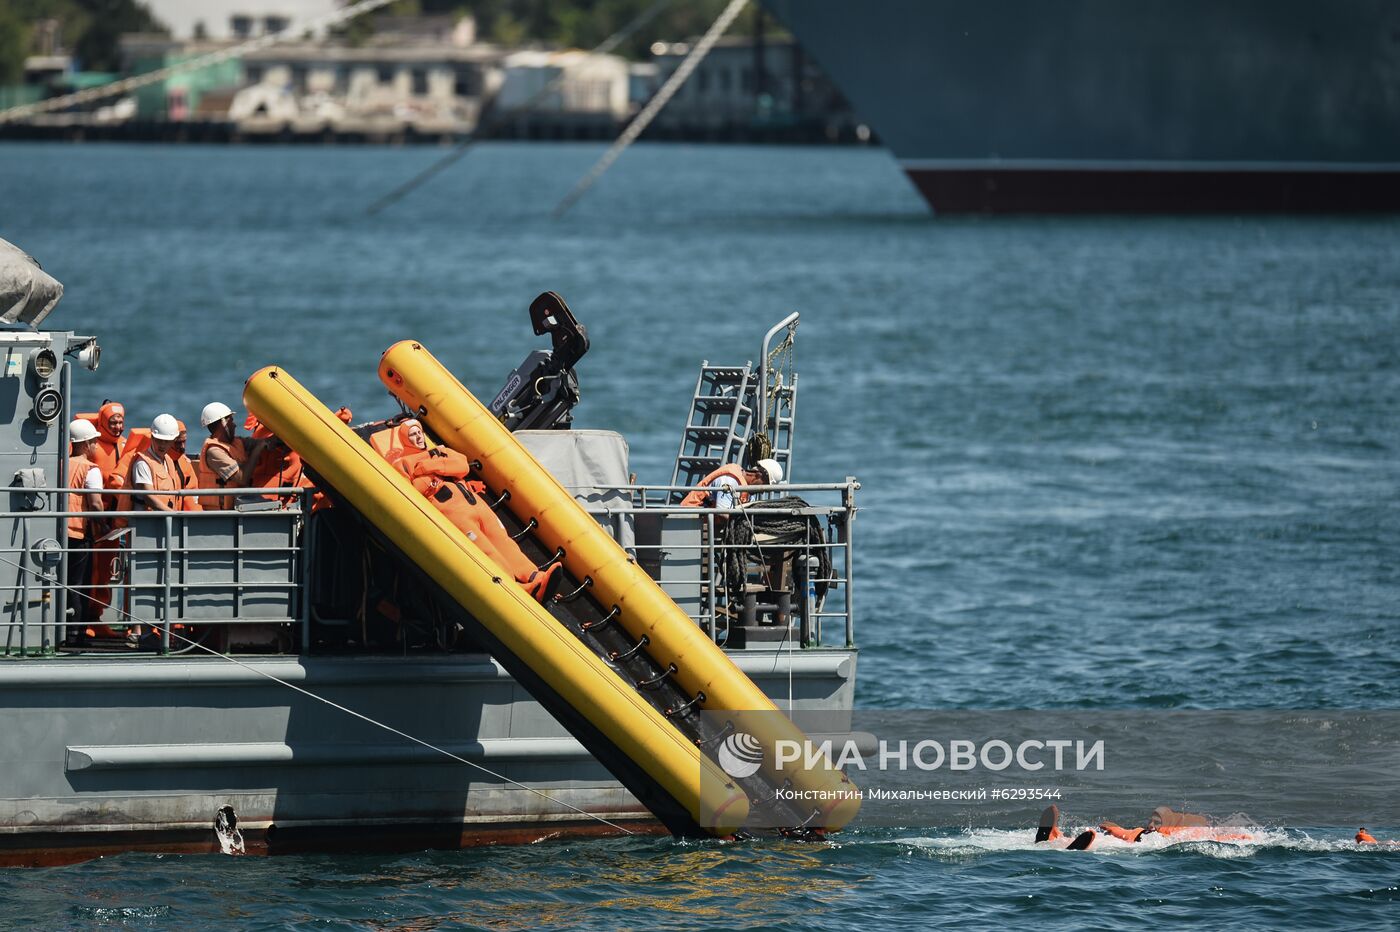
{"x":127,"y":755}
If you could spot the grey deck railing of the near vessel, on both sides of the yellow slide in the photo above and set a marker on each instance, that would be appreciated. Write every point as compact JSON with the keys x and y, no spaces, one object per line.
{"x":216,"y":576}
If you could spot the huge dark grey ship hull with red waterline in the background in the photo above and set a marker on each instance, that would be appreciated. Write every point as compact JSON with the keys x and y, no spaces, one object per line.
{"x":1100,"y":106}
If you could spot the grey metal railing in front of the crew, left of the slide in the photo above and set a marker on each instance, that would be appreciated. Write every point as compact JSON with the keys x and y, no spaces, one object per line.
{"x":164,"y":576}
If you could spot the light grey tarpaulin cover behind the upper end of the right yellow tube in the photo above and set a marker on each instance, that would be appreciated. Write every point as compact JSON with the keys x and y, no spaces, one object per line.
{"x":589,"y":464}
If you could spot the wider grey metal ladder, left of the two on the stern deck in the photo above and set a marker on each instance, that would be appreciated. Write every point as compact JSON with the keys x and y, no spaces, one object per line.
{"x":723,"y":412}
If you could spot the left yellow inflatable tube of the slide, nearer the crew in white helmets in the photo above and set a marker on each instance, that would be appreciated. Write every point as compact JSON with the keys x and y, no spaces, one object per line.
{"x":625,"y":733}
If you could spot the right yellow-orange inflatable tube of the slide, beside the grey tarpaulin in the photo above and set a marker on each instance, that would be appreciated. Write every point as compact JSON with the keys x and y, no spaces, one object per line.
{"x":418,"y":380}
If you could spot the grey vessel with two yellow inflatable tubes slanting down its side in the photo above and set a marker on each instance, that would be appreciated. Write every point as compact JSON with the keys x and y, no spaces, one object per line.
{"x":285,"y":671}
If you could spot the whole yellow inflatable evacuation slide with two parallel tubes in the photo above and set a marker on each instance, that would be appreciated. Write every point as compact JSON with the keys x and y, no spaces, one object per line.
{"x":621,"y":667}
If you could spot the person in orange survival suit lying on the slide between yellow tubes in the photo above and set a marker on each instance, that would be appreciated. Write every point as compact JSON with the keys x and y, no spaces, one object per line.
{"x":442,"y":475}
